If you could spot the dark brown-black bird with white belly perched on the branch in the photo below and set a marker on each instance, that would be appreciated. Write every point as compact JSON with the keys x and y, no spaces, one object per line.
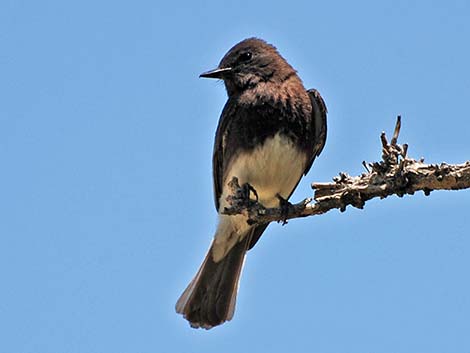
{"x":269,"y":133}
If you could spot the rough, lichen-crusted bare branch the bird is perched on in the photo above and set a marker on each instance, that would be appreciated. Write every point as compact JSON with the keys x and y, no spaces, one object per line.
{"x":395,"y":174}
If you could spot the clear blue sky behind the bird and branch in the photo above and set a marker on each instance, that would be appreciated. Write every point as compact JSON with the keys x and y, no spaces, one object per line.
{"x":106,"y":206}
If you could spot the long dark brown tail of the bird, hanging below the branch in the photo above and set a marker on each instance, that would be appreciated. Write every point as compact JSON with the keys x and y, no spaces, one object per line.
{"x":209,"y":300}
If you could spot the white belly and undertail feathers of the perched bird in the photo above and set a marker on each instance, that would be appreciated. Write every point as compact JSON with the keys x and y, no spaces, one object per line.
{"x":273,"y":168}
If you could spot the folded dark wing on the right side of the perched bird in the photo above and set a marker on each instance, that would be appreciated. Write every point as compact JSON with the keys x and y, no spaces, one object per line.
{"x":318,"y":124}
